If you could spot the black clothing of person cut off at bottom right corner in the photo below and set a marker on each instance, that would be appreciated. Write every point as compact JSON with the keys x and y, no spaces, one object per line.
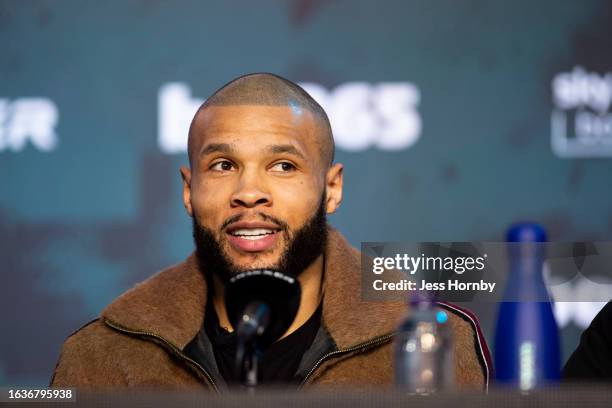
{"x":592,"y":359}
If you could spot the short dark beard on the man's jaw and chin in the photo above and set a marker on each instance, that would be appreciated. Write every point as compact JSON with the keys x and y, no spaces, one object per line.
{"x":301,"y":250}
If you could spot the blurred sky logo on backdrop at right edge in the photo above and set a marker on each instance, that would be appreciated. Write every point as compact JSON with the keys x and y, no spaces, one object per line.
{"x":581,"y":121}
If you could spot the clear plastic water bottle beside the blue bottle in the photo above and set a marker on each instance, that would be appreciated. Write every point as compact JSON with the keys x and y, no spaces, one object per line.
{"x":424,"y":361}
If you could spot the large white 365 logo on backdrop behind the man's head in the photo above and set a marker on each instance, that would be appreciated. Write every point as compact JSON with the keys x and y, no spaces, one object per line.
{"x":362,"y":115}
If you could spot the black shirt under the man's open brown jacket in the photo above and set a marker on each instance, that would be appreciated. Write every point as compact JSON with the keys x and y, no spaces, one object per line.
{"x":277,"y":365}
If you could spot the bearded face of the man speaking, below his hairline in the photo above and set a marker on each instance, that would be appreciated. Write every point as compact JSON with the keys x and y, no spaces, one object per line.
{"x":258,"y":189}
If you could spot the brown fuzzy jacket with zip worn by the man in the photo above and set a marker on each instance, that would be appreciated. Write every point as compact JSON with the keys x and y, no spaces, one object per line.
{"x":139,"y":339}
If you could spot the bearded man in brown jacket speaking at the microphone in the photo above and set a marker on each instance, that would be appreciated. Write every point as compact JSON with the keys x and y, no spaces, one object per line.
{"x":260,"y":183}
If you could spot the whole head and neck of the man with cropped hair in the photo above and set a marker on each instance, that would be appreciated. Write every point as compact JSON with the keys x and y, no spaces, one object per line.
{"x":262,"y":181}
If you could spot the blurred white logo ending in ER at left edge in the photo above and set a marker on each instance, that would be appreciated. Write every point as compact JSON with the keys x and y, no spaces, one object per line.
{"x":26,"y":120}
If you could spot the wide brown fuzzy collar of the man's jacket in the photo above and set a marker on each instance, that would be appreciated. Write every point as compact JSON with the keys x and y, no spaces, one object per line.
{"x":171,"y":303}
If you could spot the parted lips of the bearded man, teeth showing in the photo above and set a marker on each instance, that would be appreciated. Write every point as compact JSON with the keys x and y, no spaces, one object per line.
{"x":252,"y":236}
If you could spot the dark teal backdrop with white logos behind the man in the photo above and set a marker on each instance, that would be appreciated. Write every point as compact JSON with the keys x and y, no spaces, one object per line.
{"x":90,"y":193}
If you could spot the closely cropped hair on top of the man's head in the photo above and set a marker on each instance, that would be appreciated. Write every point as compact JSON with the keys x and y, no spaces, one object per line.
{"x":264,"y":89}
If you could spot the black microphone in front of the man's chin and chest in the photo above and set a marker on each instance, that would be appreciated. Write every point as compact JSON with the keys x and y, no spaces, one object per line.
{"x":261,"y":305}
